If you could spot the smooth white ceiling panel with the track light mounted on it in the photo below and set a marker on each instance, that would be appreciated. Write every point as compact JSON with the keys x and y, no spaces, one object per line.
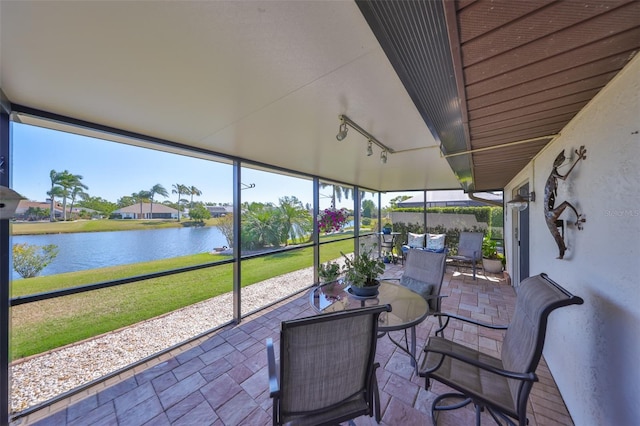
{"x":263,"y":81}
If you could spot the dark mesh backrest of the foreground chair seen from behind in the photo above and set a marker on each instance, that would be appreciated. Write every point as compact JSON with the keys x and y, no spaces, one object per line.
{"x":327,"y":359}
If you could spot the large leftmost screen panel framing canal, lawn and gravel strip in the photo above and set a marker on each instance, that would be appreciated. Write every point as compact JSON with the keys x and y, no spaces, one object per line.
{"x":112,"y":236}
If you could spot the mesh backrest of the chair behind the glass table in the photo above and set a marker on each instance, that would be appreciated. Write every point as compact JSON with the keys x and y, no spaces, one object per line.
{"x":423,"y":273}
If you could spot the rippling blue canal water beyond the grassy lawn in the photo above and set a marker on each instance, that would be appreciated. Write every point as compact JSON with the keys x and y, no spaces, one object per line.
{"x":89,"y":250}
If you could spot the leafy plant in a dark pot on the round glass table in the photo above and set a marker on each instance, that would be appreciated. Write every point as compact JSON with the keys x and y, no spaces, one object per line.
{"x":361,"y":272}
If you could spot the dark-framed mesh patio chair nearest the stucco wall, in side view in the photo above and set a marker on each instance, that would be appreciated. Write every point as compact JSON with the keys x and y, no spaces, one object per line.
{"x":500,"y":385}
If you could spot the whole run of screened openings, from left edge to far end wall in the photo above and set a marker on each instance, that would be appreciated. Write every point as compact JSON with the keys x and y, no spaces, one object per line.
{"x":124,"y":248}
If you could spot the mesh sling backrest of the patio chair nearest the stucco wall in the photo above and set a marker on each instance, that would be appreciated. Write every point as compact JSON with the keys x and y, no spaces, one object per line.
{"x":522,"y":346}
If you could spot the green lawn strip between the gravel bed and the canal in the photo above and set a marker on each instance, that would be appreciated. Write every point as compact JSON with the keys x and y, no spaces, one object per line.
{"x":40,"y":326}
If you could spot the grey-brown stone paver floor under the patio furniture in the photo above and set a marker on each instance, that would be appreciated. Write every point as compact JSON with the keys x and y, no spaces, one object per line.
{"x":221,"y":379}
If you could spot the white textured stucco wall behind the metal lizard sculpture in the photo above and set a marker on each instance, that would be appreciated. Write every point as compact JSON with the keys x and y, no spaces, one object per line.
{"x":593,"y":350}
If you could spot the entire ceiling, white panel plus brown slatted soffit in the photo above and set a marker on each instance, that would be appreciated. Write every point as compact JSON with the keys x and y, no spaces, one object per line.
{"x":266,"y":81}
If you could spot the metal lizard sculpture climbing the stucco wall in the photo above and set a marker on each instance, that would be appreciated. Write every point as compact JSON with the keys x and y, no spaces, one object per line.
{"x":551,"y":212}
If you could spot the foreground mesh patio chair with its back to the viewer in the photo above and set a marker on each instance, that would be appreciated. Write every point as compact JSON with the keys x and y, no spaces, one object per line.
{"x":327,"y":372}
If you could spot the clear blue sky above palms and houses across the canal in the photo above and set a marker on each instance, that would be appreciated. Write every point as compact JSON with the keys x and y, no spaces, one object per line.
{"x":112,"y":170}
